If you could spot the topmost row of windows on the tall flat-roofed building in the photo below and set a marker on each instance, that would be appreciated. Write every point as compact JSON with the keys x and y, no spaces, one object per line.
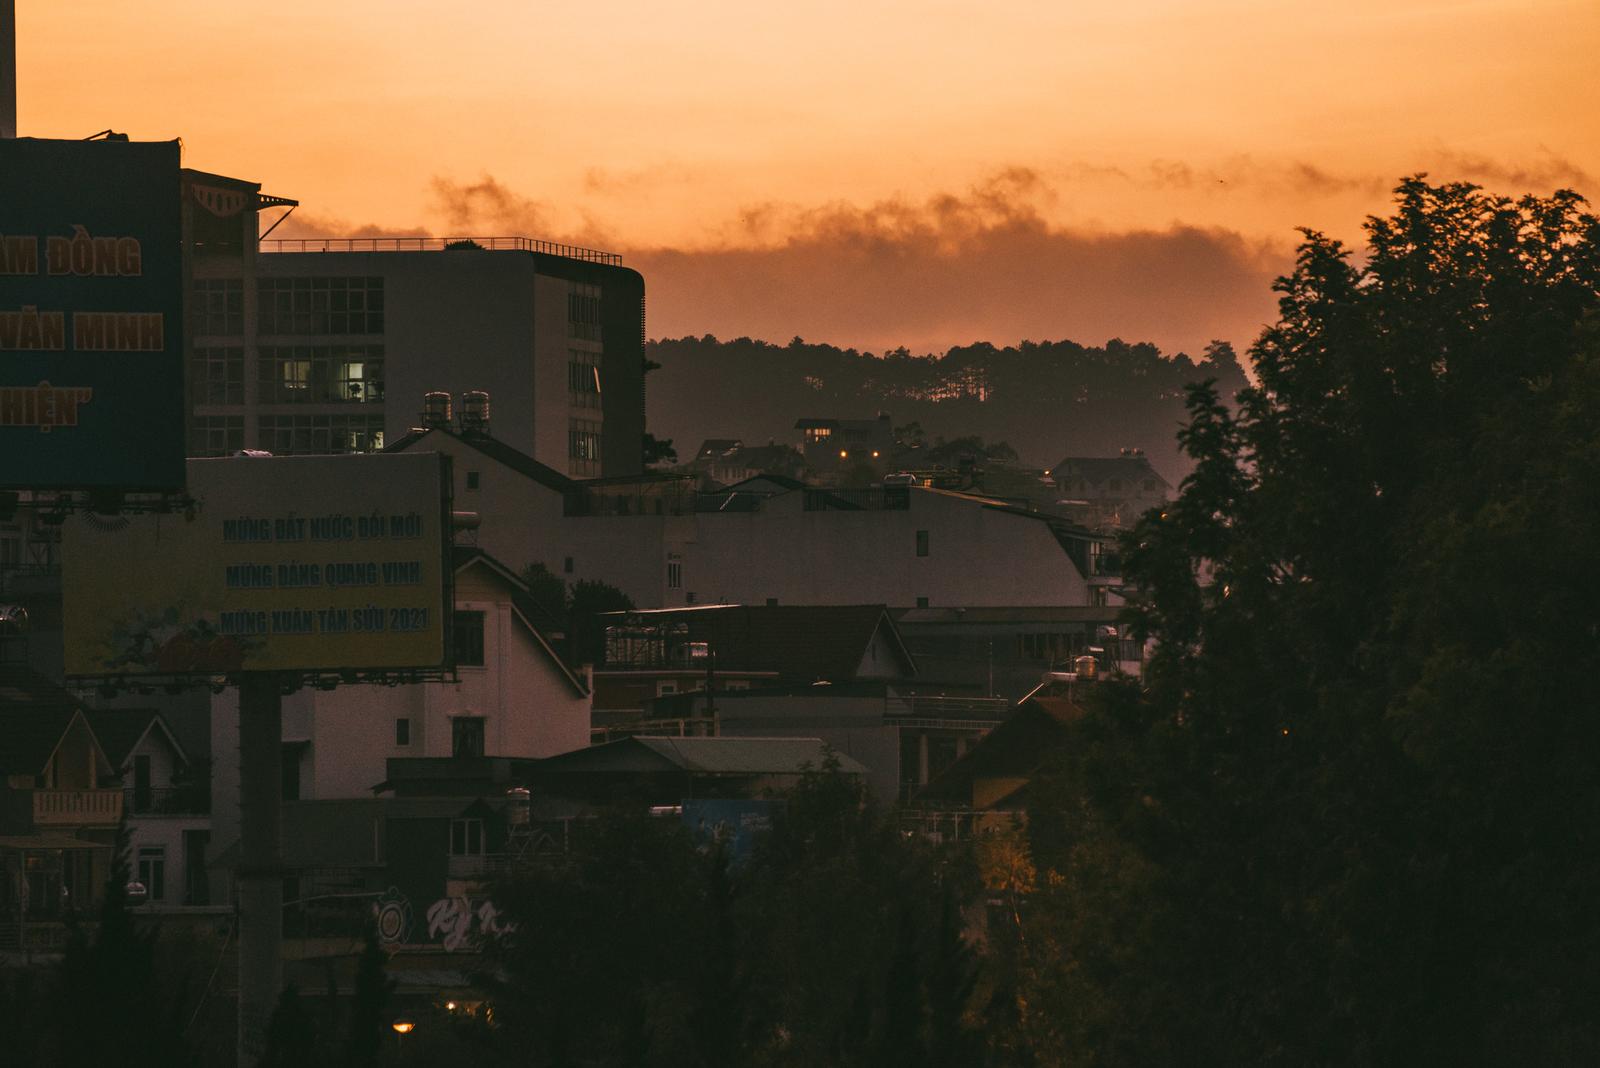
{"x":290,"y":306}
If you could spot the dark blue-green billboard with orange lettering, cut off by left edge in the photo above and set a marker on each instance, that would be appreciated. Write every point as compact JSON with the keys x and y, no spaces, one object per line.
{"x":92,"y":333}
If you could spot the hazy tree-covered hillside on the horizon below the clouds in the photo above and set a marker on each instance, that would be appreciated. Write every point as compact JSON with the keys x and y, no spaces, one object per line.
{"x":1044,"y":399}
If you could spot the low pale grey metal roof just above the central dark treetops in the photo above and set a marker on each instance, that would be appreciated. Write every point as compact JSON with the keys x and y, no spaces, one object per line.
{"x":702,"y":757}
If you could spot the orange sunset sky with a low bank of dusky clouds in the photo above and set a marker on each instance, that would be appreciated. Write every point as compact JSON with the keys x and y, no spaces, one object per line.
{"x":865,"y":173}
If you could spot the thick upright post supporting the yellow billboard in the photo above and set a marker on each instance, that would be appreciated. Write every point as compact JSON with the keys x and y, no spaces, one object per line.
{"x":260,"y":863}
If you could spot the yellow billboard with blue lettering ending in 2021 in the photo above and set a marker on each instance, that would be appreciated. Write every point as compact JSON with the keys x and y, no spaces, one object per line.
{"x":298,"y":564}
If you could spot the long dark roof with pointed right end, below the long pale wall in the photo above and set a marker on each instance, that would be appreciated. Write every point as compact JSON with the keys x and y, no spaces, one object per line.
{"x":804,"y":644}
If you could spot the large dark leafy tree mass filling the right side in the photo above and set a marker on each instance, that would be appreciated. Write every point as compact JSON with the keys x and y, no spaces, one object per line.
{"x":1353,"y":819}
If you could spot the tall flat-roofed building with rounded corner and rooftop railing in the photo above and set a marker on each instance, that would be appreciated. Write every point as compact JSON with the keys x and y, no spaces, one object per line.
{"x":329,"y":346}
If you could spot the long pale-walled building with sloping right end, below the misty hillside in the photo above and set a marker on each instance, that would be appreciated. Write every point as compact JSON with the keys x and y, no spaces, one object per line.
{"x":769,"y":540}
